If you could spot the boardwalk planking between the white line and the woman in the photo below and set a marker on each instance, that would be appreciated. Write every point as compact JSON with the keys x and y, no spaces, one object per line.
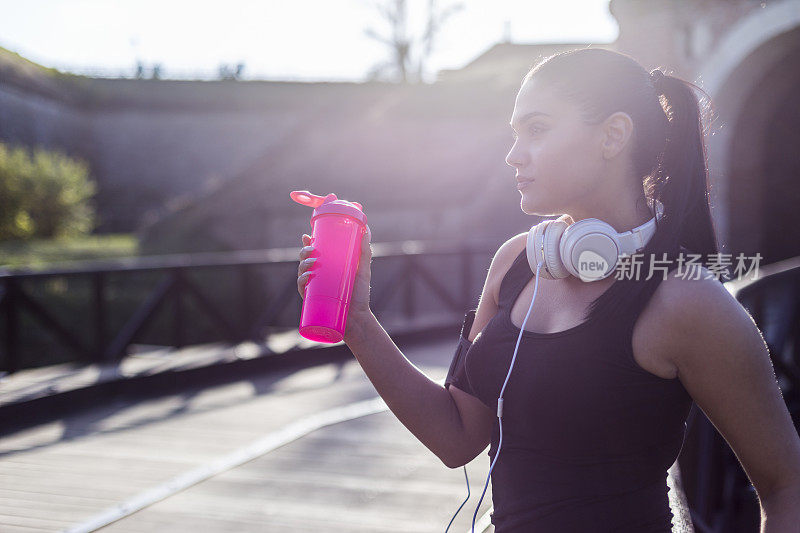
{"x":316,"y":486}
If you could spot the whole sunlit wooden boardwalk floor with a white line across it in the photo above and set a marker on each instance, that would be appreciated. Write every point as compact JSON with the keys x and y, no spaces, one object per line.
{"x":294,"y":450}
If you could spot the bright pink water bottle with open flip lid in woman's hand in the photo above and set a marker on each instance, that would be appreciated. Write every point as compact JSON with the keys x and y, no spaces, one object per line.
{"x":337,"y":227}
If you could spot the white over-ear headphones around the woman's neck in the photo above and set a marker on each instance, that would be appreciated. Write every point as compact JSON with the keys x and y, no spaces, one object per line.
{"x":588,"y":249}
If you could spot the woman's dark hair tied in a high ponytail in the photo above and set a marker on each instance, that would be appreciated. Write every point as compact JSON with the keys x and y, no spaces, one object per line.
{"x":669,"y":154}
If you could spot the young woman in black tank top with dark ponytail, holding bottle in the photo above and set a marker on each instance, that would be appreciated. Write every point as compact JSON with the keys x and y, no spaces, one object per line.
{"x":606,"y":370}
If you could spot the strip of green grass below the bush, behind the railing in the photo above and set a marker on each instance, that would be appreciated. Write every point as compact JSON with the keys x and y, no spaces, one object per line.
{"x":48,"y":252}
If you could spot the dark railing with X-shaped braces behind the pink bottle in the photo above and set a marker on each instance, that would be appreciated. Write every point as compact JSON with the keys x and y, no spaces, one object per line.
{"x":244,"y":319}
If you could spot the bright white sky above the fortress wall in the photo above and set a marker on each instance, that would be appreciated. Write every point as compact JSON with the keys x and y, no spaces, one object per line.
{"x":303,"y":40}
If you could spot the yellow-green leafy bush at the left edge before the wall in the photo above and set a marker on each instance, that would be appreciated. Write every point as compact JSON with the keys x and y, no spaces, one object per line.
{"x":44,"y":194}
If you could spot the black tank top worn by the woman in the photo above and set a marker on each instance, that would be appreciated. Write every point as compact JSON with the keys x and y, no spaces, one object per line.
{"x":588,"y":434}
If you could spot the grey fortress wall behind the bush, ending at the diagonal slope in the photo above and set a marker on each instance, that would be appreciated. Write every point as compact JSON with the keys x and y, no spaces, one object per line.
{"x":154,"y":144}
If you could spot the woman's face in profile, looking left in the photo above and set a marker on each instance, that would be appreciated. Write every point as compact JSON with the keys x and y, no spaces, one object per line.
{"x":556,"y":151}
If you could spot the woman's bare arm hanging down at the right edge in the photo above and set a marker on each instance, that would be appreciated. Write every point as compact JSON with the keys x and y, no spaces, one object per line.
{"x":724,"y":364}
